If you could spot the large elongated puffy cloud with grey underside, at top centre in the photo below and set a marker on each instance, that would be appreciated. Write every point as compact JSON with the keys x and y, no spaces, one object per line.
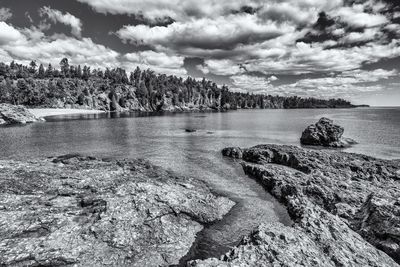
{"x":220,"y":33}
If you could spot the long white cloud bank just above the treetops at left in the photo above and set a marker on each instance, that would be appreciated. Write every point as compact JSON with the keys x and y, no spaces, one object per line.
{"x":26,"y":44}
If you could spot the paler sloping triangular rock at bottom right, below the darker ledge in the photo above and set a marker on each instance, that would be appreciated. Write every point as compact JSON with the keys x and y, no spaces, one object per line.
{"x":309,"y":242}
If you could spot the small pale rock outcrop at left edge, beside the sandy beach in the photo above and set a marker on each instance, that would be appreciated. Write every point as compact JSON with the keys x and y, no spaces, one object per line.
{"x":11,"y":114}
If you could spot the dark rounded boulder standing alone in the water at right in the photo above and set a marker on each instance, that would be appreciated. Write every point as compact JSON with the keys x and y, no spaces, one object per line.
{"x":325,"y":133}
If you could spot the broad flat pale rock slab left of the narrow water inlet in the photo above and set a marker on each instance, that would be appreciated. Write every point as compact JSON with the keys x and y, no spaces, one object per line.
{"x":82,"y":211}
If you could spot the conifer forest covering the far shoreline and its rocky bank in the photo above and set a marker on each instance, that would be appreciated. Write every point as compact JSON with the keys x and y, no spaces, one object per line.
{"x":71,"y":86}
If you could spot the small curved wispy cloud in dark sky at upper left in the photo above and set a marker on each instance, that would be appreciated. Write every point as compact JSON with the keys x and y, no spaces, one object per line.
{"x":67,"y":19}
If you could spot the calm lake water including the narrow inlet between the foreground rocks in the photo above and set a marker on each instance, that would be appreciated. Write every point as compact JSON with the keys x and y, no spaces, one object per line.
{"x":163,"y":141}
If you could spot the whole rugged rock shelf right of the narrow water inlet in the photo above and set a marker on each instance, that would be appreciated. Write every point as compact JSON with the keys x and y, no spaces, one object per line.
{"x":345,"y":208}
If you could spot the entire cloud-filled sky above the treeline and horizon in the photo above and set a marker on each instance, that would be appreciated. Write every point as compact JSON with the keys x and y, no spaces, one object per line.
{"x":309,"y":48}
